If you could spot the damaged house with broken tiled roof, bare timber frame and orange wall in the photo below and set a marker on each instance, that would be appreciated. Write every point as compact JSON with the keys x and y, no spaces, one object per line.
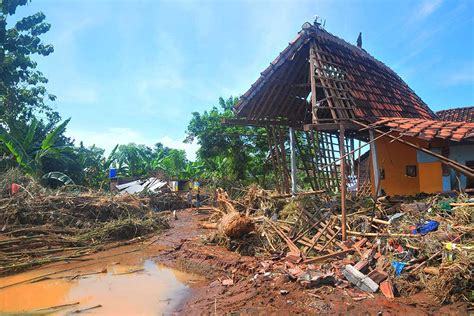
{"x":350,"y":121}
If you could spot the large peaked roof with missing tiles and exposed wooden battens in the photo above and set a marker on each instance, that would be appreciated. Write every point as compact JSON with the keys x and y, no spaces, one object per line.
{"x":350,"y":83}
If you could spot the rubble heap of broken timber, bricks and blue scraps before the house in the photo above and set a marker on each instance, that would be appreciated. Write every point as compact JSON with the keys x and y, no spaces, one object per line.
{"x":398,"y":246}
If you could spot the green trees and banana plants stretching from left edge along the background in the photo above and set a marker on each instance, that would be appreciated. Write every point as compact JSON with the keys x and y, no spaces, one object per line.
{"x":39,"y":147}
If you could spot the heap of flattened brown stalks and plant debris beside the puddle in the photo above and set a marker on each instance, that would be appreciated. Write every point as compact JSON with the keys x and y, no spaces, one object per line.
{"x":40,"y":225}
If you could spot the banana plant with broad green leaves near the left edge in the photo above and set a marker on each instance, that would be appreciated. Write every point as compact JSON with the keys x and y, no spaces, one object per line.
{"x":29,"y":157}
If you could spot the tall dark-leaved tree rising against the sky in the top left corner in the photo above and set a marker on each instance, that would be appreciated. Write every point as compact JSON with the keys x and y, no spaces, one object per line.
{"x":22,"y":86}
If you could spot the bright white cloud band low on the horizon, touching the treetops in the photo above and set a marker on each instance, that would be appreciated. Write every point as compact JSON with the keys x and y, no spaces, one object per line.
{"x":110,"y":137}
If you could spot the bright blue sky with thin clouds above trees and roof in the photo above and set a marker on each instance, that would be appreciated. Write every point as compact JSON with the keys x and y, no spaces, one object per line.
{"x":133,"y":71}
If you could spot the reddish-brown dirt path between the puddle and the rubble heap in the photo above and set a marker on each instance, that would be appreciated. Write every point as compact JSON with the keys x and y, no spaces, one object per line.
{"x":255,"y":292}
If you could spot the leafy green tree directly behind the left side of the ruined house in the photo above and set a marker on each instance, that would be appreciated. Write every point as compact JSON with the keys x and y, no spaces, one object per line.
{"x":230,"y":155}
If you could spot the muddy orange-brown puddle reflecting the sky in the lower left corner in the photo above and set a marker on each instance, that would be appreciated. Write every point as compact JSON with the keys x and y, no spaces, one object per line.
{"x":122,"y":289}
